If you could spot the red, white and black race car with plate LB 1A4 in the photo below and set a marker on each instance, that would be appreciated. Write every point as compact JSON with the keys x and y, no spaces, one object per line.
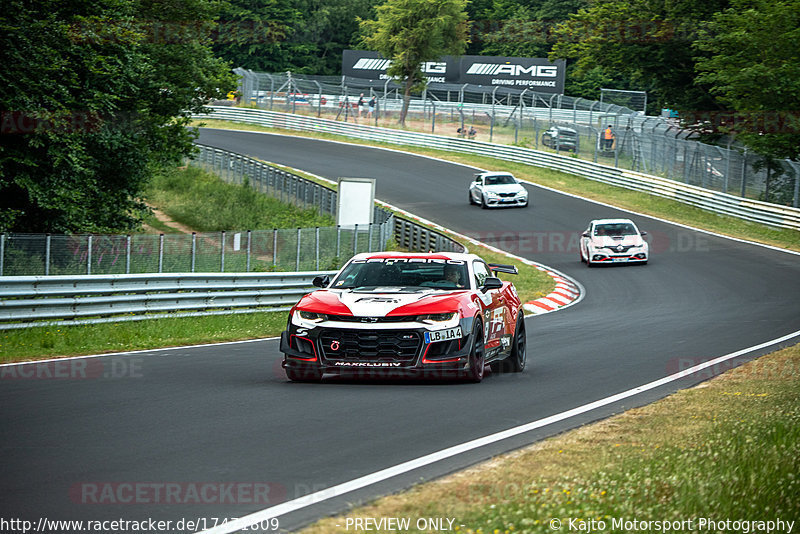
{"x":438,"y":314}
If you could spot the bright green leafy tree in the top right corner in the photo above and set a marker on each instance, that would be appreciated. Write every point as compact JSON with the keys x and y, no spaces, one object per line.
{"x":750,"y":58}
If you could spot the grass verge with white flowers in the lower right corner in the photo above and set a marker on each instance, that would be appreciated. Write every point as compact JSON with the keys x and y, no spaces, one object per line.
{"x":728,"y":449}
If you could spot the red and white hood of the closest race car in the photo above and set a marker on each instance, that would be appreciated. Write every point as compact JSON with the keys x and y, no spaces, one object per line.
{"x":381,"y":302}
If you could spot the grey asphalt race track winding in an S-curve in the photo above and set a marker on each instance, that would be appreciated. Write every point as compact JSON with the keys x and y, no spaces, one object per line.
{"x":225,"y":416}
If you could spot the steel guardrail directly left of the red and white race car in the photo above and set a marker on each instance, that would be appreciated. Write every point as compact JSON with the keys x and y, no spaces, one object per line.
{"x":27,"y":301}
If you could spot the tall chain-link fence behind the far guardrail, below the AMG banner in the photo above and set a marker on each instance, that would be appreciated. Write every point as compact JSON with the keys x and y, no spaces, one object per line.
{"x":543,"y":121}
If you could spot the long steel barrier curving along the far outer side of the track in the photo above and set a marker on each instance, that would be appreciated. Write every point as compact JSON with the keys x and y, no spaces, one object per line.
{"x":750,"y":210}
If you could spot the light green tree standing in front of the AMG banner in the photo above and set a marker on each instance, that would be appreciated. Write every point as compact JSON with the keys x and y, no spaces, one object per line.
{"x":410,"y":32}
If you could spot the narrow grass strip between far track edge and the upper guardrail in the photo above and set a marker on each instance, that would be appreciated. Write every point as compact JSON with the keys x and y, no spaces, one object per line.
{"x":617,"y":196}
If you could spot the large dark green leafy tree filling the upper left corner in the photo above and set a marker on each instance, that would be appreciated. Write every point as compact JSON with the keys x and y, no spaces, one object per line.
{"x":97,"y":95}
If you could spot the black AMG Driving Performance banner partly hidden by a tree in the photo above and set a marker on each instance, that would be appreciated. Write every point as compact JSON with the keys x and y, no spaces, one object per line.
{"x":537,"y":74}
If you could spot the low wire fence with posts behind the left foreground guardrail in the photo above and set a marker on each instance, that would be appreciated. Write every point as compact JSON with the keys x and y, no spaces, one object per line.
{"x":247,"y":251}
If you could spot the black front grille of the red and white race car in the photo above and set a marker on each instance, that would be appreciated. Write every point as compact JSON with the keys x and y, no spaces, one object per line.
{"x":370,"y":345}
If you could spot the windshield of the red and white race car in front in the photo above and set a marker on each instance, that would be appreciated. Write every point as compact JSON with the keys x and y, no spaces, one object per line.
{"x":402,"y":276}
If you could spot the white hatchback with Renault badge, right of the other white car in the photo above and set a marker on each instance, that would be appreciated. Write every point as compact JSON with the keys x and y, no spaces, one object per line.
{"x":613,"y":241}
